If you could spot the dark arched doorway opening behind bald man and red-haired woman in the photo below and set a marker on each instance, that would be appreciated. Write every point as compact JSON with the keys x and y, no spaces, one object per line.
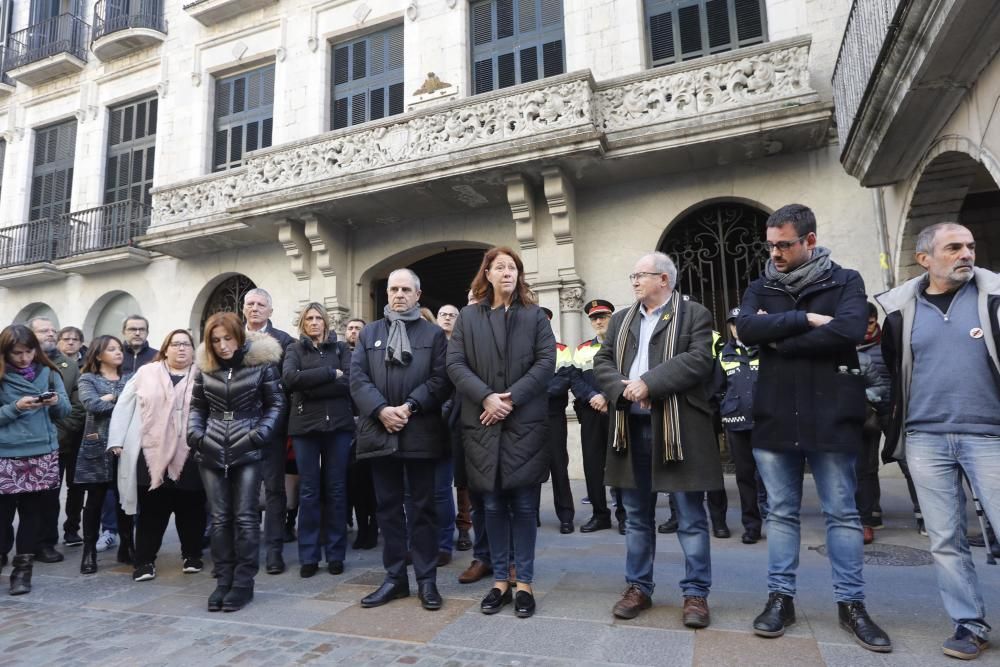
{"x":444,"y":278}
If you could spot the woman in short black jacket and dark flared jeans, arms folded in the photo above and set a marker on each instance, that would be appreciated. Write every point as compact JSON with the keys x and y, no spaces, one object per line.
{"x":321,"y":423}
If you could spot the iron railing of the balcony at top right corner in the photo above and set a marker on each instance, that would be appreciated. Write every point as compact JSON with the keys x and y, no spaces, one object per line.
{"x":870,"y":27}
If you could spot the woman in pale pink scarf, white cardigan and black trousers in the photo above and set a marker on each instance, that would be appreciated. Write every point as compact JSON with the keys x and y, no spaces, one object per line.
{"x":156,"y":475}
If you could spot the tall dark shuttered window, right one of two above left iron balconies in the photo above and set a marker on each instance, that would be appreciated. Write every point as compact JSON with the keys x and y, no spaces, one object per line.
{"x":128,"y":173}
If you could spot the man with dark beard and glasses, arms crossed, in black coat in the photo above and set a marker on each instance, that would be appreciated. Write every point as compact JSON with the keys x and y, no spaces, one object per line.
{"x":807,"y":314}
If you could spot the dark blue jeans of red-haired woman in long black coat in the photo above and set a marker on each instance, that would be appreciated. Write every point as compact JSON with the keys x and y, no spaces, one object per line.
{"x":511,"y":515}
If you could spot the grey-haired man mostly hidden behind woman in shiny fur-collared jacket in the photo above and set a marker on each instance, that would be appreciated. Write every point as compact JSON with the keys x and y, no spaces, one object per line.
{"x":257,"y":310}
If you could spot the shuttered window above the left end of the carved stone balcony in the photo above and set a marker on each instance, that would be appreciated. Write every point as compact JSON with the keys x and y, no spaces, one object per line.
{"x":244,"y":115}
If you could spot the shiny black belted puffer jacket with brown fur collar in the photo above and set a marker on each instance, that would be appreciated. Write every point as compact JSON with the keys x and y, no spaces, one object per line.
{"x":251,"y":391}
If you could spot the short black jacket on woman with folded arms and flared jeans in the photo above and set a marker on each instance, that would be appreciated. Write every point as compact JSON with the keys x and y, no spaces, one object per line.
{"x":320,"y":401}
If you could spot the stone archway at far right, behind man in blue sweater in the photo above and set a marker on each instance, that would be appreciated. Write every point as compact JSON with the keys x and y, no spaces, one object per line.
{"x":952,"y":169}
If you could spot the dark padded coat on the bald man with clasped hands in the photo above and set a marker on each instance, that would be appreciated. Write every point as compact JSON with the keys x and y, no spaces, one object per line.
{"x":376,"y":384}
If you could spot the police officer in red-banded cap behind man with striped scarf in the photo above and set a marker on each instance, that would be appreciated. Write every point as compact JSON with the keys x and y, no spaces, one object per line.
{"x":592,"y":410}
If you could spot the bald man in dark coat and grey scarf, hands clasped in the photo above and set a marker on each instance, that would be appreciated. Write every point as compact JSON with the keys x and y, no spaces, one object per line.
{"x":399,"y":383}
